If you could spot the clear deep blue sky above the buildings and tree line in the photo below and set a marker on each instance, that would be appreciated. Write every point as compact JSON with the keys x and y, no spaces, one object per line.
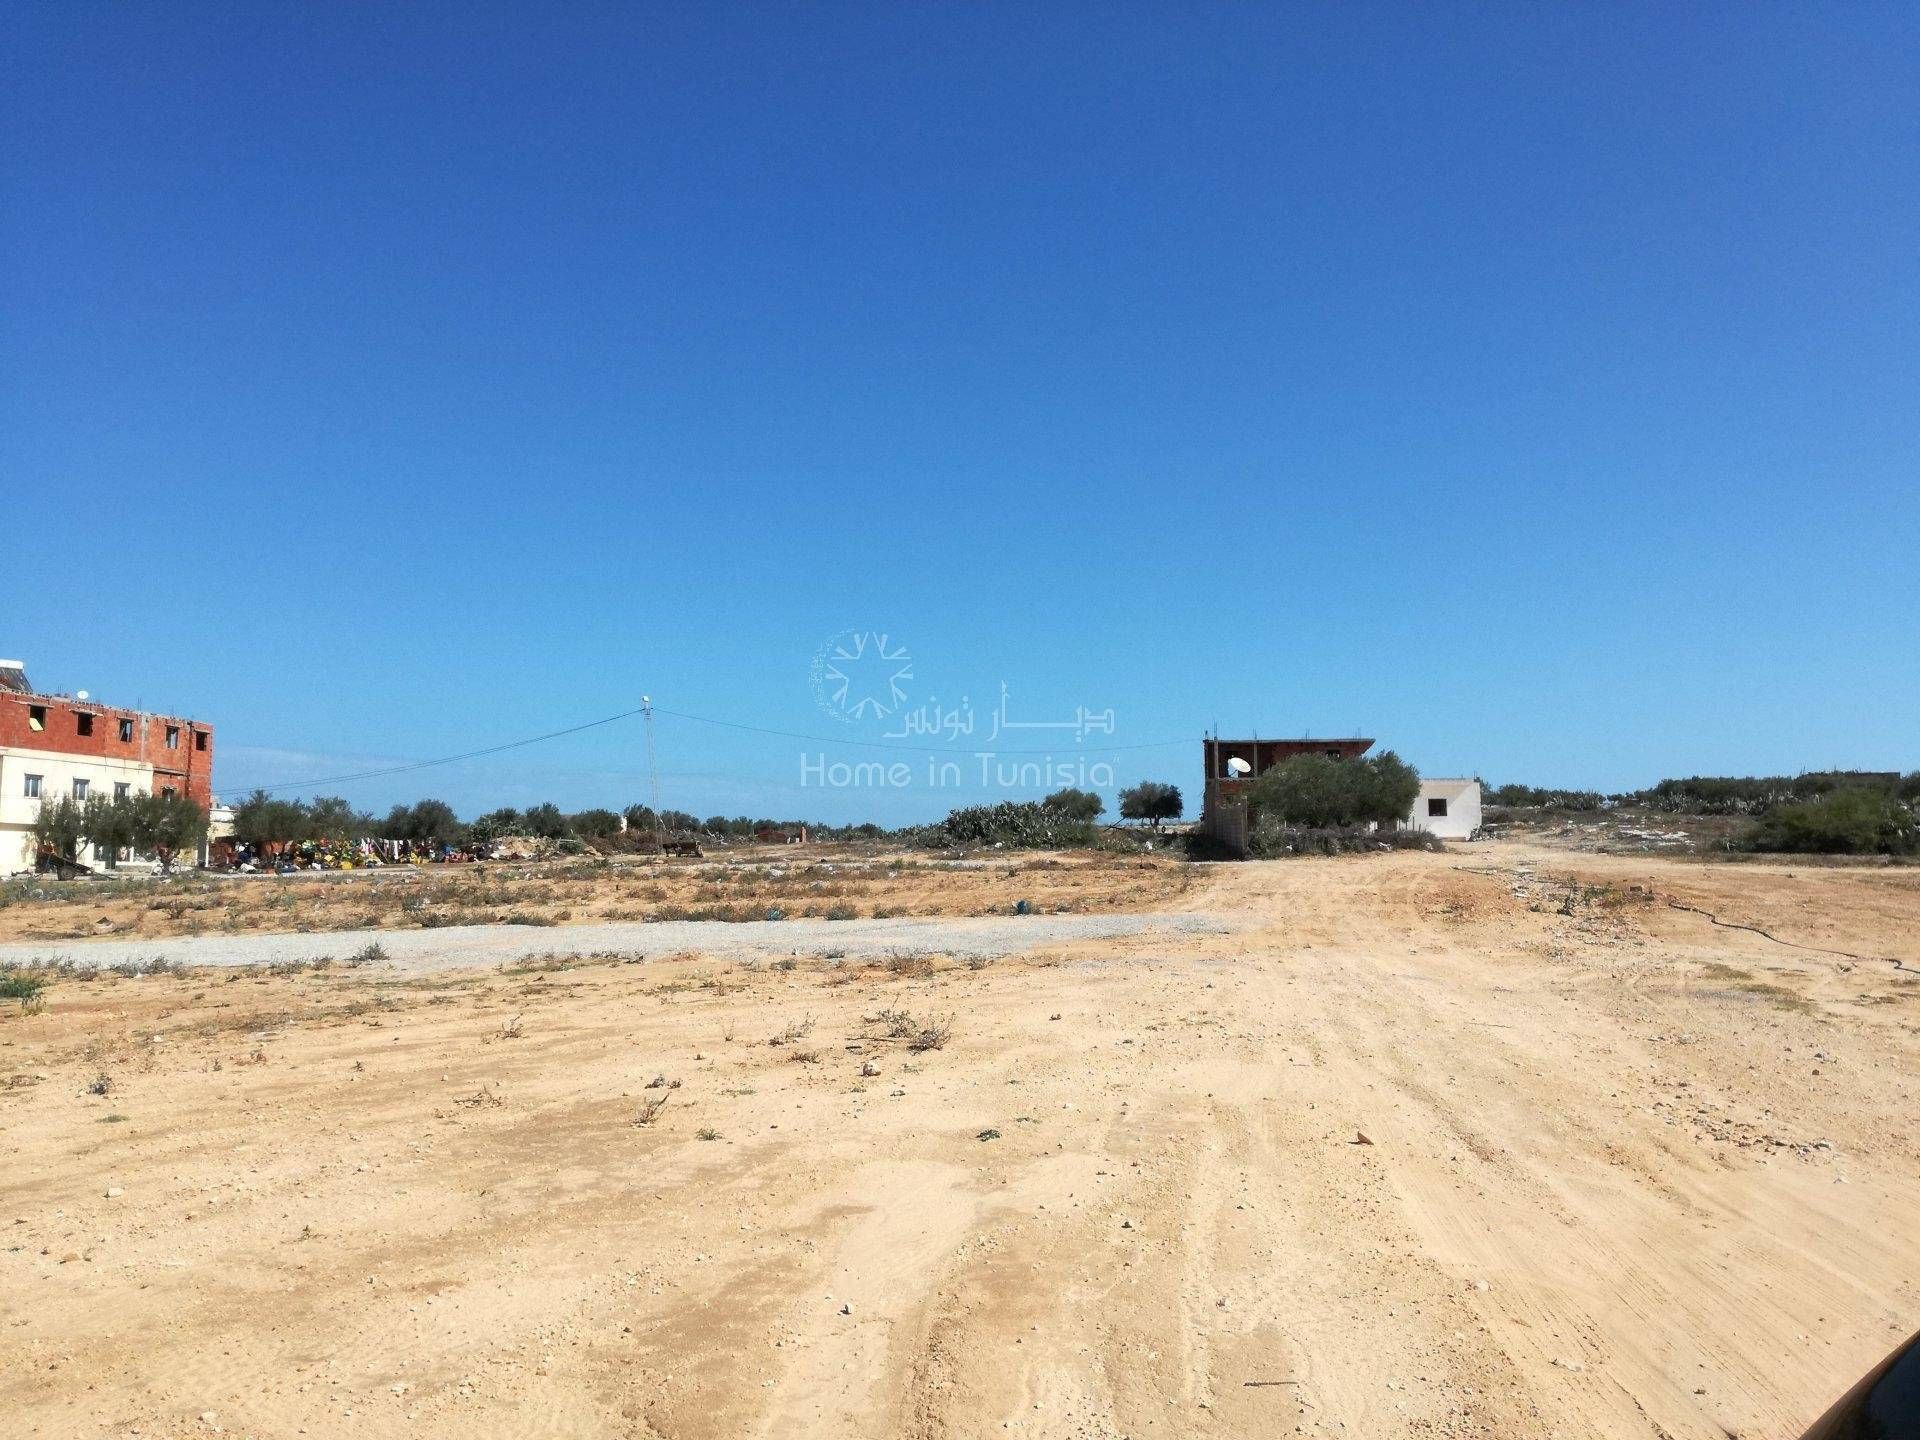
{"x":1531,"y":389}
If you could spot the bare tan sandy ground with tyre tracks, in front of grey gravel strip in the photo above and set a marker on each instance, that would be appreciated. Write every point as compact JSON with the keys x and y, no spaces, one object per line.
{"x":1627,"y":1172}
